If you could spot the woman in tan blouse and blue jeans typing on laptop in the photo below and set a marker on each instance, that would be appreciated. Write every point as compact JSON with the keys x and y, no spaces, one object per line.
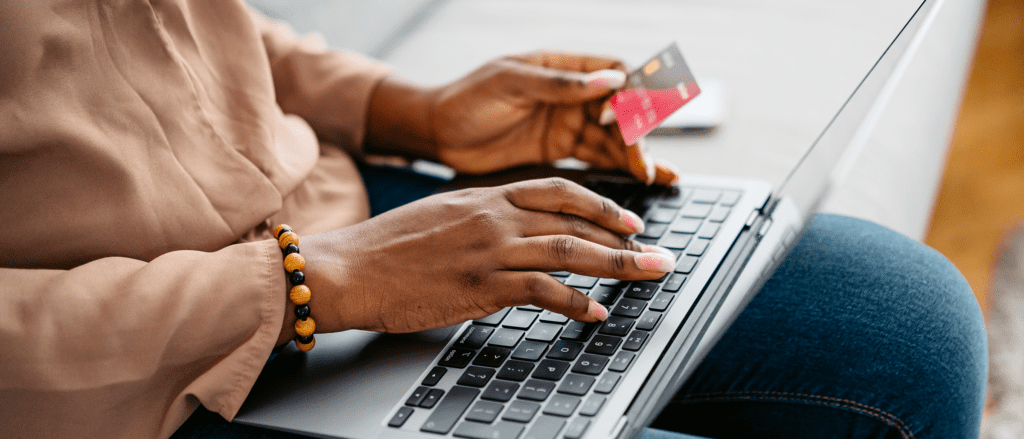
{"x":151,"y":149}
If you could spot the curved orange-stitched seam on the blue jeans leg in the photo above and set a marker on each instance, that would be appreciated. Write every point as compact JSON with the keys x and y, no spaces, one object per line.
{"x":873,"y":412}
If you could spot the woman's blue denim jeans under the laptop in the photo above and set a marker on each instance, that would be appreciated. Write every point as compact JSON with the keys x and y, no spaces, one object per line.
{"x":862,"y":333}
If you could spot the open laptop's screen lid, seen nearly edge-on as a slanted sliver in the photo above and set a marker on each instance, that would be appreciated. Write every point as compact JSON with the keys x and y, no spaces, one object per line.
{"x":831,"y":156}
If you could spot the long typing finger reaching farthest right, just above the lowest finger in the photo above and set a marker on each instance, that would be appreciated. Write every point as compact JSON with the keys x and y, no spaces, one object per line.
{"x":567,"y":253}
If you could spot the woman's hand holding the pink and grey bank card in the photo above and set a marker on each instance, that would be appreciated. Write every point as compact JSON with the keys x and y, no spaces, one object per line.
{"x":524,"y":110}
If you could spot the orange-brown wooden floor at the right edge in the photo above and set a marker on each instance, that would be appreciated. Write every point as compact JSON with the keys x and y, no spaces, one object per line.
{"x":983,"y":197}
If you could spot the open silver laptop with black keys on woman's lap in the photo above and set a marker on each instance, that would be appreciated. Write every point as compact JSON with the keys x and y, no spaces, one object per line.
{"x":530,"y":374}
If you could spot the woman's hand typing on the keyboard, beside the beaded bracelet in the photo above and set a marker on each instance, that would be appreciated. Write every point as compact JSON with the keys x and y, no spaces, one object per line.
{"x":465,"y":255}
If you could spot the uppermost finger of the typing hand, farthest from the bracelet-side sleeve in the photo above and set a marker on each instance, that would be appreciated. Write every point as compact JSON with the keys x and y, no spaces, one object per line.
{"x":562,"y":196}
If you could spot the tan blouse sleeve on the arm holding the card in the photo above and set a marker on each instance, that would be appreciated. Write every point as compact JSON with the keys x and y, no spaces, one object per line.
{"x":329,"y":90}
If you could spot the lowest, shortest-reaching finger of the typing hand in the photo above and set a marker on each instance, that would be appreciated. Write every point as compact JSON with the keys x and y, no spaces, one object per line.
{"x":544,"y":291}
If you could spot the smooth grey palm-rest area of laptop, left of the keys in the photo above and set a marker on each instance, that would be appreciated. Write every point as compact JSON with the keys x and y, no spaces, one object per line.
{"x":346,"y":386}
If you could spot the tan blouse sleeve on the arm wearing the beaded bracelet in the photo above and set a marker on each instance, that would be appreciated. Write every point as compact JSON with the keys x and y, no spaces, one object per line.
{"x":121,"y":348}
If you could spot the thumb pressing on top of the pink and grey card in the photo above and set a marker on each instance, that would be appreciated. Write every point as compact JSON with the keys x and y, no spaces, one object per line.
{"x":557,"y":86}
